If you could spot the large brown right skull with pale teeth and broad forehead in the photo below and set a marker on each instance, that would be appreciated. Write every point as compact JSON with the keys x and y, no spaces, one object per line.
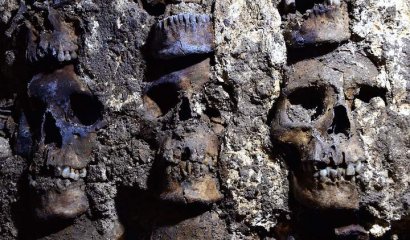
{"x":313,"y":128}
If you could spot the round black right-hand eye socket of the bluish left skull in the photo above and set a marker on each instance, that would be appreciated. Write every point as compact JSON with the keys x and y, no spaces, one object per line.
{"x":86,"y":108}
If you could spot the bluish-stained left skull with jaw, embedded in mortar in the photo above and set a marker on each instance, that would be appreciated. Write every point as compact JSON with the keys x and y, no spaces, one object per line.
{"x":64,"y":121}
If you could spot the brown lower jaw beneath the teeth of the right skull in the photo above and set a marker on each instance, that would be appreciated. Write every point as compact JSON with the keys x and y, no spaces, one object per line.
{"x":326,"y":196}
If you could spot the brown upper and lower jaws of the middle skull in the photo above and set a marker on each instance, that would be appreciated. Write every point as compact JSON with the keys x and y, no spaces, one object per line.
{"x":187,"y":167}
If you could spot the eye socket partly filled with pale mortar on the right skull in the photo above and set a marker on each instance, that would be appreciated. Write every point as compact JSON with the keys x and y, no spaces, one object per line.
{"x":306,"y":103}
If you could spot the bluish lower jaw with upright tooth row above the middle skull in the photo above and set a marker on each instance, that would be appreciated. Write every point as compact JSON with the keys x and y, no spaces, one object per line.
{"x":182,"y":35}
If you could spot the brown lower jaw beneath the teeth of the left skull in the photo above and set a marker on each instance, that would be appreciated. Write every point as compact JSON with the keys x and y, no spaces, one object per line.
{"x":67,"y":204}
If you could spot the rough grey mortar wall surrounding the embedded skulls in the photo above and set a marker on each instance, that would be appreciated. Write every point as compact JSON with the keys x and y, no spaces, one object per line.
{"x":247,"y":72}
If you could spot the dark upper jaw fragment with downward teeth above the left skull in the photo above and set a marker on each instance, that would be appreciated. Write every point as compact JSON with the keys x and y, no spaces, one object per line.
{"x":59,"y":43}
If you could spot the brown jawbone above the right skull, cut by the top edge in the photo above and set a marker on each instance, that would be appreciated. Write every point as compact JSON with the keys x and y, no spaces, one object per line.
{"x":314,"y":22}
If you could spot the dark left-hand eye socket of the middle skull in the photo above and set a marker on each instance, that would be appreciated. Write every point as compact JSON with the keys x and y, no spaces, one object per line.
{"x":164,"y":96}
